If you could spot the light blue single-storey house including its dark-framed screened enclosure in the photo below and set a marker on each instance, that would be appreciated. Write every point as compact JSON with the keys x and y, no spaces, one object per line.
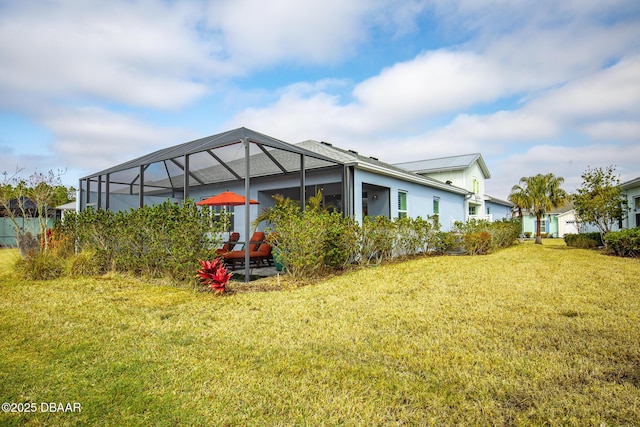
{"x":350,"y":183}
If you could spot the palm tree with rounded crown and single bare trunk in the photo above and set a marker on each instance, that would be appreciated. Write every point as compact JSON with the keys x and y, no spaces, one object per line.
{"x":539,"y":194}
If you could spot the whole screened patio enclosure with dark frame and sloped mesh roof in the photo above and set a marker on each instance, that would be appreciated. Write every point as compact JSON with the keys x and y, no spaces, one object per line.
{"x":249,"y":163}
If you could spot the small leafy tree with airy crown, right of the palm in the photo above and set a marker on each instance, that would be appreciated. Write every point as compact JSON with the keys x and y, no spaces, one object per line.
{"x":599,"y":200}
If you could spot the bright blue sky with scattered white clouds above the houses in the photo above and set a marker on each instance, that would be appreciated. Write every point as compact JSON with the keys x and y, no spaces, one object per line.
{"x":540,"y":86}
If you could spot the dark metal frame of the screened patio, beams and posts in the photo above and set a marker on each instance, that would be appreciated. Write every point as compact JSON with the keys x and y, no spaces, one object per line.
{"x":236,"y":155}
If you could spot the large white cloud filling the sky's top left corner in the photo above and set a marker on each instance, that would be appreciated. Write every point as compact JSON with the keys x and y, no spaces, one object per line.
{"x":137,"y":53}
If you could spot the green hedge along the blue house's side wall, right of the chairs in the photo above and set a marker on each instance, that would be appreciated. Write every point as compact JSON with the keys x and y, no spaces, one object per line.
{"x":312,"y":241}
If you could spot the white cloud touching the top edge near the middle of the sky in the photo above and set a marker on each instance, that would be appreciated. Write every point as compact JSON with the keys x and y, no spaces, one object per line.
{"x":260,"y":33}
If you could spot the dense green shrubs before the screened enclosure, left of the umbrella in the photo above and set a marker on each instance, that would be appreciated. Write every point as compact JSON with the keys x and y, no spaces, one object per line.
{"x":161,"y":240}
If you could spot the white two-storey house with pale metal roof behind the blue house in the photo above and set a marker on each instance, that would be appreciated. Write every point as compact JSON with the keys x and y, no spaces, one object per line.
{"x":469,"y":172}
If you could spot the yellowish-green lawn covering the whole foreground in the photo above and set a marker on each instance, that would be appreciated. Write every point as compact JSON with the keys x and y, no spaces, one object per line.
{"x":531,"y":335}
